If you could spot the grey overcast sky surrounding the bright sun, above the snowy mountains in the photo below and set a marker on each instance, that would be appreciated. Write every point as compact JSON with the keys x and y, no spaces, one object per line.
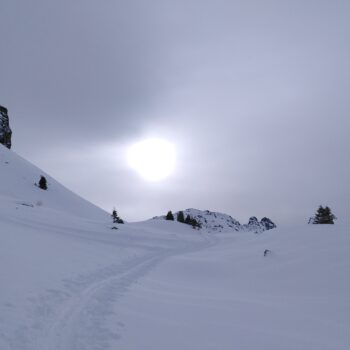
{"x":254,"y":95}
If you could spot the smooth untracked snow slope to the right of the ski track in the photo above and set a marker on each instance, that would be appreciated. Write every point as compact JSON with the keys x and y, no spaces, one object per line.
{"x":230,"y":296}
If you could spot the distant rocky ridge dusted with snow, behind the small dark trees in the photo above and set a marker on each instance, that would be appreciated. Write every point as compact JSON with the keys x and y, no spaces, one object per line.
{"x":219,"y":222}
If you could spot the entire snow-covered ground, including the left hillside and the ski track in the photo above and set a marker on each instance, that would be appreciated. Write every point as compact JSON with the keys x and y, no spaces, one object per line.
{"x":70,"y":282}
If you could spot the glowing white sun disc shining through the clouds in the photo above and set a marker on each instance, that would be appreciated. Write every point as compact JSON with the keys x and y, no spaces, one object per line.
{"x":153,"y":159}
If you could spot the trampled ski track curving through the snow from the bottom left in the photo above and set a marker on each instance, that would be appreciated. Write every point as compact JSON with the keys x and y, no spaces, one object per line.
{"x":74,"y":317}
